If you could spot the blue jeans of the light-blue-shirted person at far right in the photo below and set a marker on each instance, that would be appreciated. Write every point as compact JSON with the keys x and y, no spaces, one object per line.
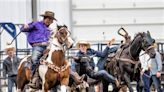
{"x":157,"y":83}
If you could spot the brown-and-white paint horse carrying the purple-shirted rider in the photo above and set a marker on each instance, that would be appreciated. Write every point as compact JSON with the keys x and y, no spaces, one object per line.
{"x":55,"y":69}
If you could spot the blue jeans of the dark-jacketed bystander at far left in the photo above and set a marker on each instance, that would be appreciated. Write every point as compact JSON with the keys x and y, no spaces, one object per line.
{"x":11,"y":82}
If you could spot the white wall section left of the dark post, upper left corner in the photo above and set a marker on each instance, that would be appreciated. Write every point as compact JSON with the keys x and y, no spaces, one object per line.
{"x":16,"y":11}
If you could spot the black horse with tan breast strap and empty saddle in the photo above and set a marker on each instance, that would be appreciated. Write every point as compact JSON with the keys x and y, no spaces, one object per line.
{"x":125,"y":64}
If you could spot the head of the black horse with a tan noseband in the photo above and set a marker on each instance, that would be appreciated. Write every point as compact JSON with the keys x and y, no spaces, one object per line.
{"x":148,"y":44}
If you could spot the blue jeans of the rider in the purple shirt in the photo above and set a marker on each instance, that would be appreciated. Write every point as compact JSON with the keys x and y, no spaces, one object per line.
{"x":37,"y":52}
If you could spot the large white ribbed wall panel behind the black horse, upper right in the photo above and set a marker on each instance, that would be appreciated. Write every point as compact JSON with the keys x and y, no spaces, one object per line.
{"x":98,"y":20}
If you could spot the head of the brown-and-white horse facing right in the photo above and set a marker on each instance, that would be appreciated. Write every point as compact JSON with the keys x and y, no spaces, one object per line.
{"x":63,"y":36}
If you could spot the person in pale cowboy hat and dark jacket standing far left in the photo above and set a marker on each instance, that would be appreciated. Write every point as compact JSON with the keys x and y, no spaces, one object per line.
{"x":10,"y":67}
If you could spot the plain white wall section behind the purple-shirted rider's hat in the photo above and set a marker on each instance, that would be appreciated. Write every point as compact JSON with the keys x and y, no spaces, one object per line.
{"x":59,"y":7}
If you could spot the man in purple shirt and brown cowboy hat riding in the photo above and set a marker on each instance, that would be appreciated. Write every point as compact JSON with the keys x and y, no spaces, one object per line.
{"x":38,"y":35}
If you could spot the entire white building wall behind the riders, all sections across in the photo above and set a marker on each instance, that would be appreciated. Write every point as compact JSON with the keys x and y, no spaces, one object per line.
{"x":93,"y":20}
